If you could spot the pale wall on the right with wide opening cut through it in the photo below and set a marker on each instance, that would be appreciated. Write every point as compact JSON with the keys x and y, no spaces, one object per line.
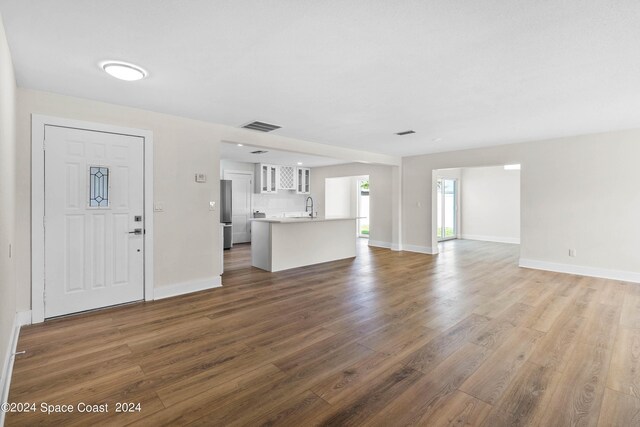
{"x":577,"y":192}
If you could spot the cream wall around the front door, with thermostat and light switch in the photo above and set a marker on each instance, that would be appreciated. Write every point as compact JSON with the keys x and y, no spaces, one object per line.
{"x":186,"y":233}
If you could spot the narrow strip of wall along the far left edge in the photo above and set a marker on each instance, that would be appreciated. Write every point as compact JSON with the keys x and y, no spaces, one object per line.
{"x":7,"y":201}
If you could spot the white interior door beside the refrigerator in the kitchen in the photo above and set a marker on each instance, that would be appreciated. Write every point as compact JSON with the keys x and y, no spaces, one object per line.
{"x":241,"y":190}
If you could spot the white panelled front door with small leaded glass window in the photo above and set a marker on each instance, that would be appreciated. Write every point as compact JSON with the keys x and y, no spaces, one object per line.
{"x":94,"y":200}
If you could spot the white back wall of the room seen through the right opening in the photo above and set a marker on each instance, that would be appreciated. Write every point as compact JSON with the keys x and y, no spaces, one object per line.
{"x":490,"y":204}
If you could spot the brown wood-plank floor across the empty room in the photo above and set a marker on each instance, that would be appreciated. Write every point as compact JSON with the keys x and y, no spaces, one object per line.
{"x":390,"y":338}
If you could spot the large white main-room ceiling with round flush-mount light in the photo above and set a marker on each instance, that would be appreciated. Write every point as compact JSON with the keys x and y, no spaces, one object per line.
{"x":348,"y":73}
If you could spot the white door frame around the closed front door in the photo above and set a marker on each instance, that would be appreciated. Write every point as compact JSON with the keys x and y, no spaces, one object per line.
{"x":38,"y":123}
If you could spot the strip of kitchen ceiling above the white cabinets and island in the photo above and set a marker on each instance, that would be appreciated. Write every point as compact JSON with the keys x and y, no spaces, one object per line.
{"x":233,"y":152}
